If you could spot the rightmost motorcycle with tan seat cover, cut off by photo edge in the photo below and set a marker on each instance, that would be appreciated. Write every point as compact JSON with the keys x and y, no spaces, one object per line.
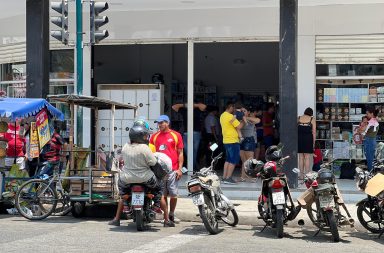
{"x":370,"y":211}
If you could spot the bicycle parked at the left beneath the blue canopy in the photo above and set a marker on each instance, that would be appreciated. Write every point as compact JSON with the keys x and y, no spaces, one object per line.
{"x":38,"y":198}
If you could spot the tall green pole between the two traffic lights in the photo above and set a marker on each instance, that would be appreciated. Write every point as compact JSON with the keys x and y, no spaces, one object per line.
{"x":79,"y":67}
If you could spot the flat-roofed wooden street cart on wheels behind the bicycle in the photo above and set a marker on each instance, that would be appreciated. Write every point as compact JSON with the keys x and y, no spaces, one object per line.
{"x":92,"y":184}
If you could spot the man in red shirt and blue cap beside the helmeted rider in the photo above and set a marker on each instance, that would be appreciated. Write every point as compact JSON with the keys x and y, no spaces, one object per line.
{"x":169,"y":142}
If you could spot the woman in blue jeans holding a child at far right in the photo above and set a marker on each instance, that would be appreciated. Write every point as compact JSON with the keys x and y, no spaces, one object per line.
{"x":370,"y":134}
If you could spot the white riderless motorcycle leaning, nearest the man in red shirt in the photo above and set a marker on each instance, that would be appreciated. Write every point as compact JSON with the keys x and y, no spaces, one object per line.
{"x":213,"y":205}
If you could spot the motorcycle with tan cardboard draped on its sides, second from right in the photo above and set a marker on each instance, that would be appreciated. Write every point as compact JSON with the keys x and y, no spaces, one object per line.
{"x":322,"y":200}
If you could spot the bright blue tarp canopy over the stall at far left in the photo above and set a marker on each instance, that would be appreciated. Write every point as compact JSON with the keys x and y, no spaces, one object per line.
{"x":18,"y":108}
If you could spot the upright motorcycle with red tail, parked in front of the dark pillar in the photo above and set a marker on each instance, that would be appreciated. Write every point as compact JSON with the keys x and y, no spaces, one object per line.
{"x":275,"y":203}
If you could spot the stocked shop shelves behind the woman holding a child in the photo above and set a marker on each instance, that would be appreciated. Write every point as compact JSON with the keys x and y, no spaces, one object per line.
{"x":339,"y":111}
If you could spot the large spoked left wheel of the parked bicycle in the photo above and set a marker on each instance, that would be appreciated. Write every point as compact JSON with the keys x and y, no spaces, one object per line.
{"x":35,"y":199}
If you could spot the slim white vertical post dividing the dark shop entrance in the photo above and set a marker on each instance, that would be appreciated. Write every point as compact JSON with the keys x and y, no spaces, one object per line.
{"x":190,"y":106}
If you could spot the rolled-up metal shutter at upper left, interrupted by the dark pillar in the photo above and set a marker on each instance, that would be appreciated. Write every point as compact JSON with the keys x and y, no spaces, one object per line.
{"x":17,"y":52}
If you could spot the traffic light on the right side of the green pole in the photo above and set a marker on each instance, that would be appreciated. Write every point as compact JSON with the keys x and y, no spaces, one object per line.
{"x":98,"y":21}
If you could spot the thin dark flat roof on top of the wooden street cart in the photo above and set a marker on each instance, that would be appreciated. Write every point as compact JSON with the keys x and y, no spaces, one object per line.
{"x":90,"y":102}
